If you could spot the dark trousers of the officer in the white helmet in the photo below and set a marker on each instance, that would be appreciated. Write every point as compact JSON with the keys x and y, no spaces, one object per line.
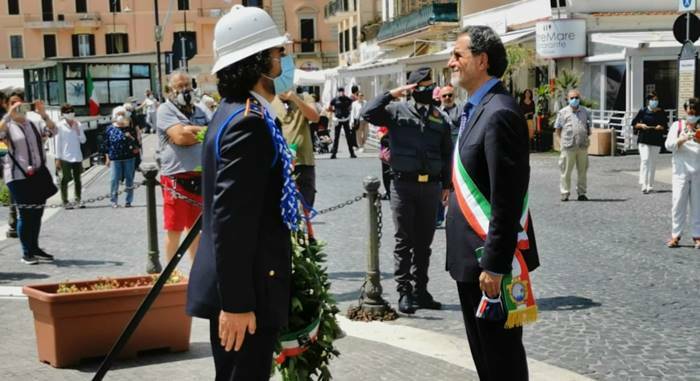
{"x":253,"y":362}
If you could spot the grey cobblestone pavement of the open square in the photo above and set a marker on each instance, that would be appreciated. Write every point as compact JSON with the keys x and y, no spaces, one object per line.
{"x":615,"y":303}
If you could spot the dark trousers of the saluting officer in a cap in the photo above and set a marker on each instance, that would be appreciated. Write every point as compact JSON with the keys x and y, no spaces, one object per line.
{"x":414,"y":207}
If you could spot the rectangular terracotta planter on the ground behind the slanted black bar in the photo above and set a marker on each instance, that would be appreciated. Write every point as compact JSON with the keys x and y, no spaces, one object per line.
{"x":71,"y":327}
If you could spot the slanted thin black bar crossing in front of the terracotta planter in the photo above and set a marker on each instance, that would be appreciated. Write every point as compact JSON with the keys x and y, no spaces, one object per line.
{"x":148,"y":301}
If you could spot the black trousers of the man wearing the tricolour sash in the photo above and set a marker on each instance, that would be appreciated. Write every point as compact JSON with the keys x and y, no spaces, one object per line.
{"x":498,"y":353}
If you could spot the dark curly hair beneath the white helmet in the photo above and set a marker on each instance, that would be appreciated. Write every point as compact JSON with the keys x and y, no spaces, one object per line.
{"x":236,"y":80}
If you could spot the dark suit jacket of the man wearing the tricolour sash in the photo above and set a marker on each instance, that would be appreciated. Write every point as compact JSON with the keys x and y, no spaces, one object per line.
{"x":494,"y":151}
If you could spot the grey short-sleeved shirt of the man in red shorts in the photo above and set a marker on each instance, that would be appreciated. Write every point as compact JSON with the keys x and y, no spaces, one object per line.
{"x":176,"y":159}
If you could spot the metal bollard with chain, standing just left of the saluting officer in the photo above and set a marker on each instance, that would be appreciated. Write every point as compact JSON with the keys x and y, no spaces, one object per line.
{"x":371,"y":299}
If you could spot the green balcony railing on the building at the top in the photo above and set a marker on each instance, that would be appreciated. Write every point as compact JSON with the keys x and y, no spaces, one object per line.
{"x":428,"y":15}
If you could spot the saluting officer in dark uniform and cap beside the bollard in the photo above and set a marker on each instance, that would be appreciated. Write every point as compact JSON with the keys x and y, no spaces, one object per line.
{"x":421,"y":149}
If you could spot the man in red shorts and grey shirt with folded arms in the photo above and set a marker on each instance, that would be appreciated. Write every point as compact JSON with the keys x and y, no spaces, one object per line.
{"x":178,"y":122}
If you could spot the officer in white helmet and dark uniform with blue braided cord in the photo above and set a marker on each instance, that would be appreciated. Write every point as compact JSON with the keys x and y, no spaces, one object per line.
{"x":240,"y":279}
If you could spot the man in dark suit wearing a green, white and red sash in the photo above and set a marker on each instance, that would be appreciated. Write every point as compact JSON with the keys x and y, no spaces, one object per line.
{"x":493,"y":158}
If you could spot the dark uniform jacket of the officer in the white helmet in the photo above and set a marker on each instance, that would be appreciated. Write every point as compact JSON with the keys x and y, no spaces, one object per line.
{"x":244,"y":259}
